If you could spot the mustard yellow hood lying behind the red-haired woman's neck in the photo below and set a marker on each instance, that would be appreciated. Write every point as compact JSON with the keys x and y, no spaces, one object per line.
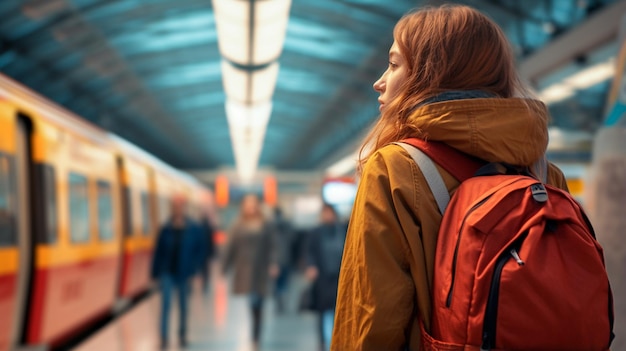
{"x":511,"y":130}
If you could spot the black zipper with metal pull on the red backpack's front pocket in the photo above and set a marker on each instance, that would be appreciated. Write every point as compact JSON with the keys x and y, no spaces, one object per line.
{"x":491,"y":312}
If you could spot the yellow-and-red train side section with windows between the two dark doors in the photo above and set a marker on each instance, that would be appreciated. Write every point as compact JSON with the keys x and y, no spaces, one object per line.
{"x":77,"y":253}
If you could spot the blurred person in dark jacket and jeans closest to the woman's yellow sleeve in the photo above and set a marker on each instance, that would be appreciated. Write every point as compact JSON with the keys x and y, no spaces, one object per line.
{"x":324,"y":252}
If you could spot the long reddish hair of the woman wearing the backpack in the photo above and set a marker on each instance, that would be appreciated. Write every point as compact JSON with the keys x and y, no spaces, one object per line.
{"x":446,"y":48}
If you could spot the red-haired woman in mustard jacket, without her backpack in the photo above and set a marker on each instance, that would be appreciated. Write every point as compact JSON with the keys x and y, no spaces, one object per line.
{"x":451,"y":80}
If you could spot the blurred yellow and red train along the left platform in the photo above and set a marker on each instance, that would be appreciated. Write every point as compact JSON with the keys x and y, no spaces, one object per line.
{"x":79,"y":211}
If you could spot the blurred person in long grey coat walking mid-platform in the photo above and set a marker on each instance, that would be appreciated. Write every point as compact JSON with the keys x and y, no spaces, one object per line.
{"x":251,"y":253}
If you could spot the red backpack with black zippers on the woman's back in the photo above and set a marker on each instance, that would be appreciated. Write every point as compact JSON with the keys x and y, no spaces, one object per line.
{"x":517,"y":265}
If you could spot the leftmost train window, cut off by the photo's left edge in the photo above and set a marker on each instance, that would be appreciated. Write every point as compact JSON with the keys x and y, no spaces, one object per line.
{"x":8,"y":201}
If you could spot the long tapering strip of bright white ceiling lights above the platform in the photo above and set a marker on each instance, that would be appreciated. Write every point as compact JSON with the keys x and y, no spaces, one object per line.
{"x":251,"y":35}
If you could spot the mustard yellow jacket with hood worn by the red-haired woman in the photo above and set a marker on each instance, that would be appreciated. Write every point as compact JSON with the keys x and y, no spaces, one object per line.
{"x":387,"y":268}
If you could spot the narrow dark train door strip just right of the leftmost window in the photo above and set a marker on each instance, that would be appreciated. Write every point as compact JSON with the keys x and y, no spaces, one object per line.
{"x":24,"y":241}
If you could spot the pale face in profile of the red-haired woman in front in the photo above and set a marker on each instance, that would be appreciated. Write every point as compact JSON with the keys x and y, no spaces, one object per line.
{"x":388,"y":85}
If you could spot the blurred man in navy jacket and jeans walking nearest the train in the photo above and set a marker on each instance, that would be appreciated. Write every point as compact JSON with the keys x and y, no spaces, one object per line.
{"x":177,"y":257}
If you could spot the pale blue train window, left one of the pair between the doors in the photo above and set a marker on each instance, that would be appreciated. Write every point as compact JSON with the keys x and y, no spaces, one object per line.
{"x":79,"y":208}
